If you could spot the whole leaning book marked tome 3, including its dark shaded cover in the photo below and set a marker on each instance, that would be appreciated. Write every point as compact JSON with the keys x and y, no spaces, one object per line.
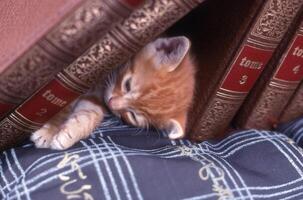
{"x":236,"y":60}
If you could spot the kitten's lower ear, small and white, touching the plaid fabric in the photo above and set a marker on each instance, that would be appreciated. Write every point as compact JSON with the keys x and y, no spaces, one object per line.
{"x":176,"y":128}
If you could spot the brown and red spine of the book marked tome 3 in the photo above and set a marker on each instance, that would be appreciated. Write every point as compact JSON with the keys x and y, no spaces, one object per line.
{"x":245,"y":67}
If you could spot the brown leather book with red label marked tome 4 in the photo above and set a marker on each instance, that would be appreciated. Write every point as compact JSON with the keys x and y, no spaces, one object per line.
{"x":277,"y":83}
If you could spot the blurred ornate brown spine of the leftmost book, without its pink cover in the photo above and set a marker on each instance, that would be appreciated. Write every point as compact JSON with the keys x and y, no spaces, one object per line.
{"x":62,"y":45}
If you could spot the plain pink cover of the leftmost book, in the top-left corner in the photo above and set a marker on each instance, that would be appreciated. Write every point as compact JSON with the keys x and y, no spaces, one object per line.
{"x":21,"y":24}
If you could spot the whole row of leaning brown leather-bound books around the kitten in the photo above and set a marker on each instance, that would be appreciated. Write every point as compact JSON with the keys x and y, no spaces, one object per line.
{"x":249,"y":56}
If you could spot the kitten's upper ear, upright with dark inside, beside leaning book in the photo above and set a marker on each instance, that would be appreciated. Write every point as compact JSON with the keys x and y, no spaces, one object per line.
{"x":168,"y":53}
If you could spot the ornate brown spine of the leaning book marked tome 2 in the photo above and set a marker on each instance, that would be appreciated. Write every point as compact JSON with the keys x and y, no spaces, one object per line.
{"x":111,"y":50}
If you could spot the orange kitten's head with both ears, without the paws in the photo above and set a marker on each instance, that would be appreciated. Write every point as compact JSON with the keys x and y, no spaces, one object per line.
{"x":155,"y":87}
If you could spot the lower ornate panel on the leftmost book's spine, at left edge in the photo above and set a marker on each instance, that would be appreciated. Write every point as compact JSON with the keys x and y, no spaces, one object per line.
{"x":27,"y":75}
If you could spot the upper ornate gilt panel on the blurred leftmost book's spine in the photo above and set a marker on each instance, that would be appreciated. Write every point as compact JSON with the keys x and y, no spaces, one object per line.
{"x":90,"y":22}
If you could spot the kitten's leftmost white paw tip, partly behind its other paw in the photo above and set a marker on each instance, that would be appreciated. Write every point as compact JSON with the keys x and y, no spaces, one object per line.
{"x":42,"y":137}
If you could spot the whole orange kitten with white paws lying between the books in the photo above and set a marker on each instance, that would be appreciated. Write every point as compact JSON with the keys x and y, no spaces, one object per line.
{"x":154,"y":88}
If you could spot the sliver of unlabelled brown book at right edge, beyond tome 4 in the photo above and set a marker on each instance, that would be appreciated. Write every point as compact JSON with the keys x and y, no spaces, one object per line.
{"x":294,"y":108}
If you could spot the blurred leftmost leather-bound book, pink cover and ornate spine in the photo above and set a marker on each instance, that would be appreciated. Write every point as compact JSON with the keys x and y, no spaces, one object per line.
{"x":59,"y":46}
